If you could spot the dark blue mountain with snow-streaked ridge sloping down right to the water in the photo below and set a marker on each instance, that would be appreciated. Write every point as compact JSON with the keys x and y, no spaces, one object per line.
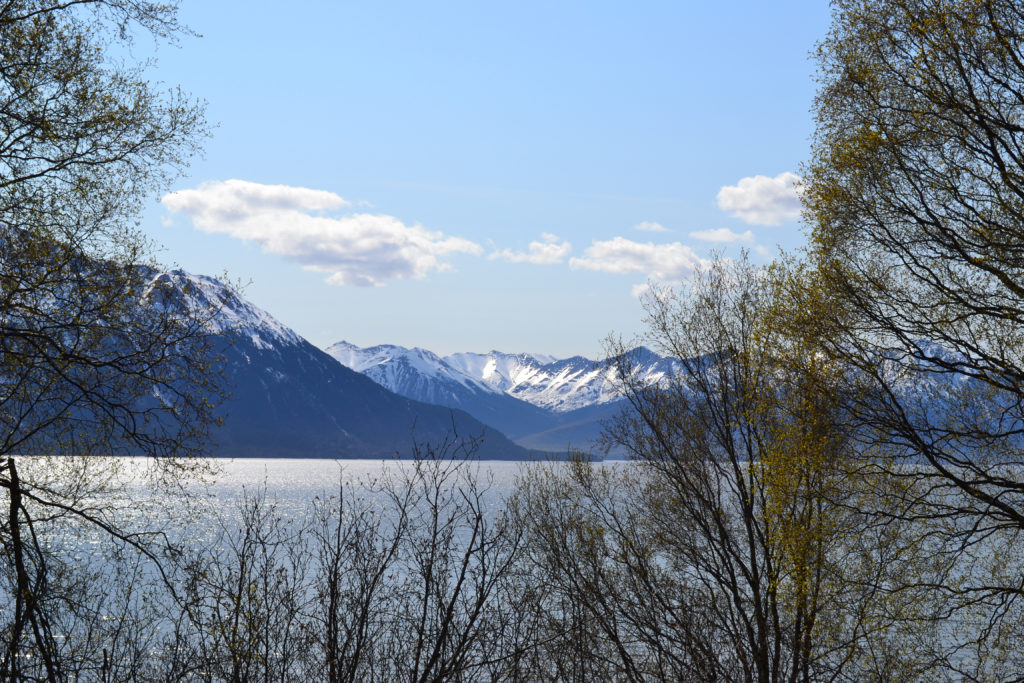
{"x":290,"y":399}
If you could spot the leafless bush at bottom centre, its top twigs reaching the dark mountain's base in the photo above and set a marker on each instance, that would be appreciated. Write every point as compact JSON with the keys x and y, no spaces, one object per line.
{"x":448,"y":561}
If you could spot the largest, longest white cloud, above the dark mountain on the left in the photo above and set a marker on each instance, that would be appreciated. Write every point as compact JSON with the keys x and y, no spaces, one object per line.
{"x":356,"y":249}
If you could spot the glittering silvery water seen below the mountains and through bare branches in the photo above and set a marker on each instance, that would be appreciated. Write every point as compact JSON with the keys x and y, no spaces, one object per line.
{"x":205,"y":517}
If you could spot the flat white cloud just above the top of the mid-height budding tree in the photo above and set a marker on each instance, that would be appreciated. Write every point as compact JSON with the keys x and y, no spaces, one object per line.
{"x":668,"y":264}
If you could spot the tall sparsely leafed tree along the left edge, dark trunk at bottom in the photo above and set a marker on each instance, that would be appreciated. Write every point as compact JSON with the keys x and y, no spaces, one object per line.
{"x":100,"y":355}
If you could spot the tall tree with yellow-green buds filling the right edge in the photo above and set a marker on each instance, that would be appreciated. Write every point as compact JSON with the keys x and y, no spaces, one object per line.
{"x":915,"y":195}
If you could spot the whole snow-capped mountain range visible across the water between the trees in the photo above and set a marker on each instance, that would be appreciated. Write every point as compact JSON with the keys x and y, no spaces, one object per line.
{"x":290,"y":399}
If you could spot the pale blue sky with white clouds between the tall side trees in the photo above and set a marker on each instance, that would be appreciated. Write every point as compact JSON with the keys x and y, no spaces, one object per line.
{"x":468,"y":177}
